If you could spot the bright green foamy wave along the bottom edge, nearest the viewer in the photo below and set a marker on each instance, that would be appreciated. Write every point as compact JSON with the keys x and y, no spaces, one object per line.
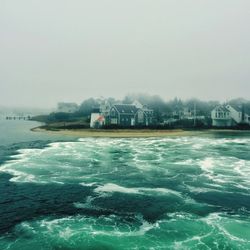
{"x":176,"y":231}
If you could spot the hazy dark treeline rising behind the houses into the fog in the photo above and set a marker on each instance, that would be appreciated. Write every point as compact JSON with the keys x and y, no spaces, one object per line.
{"x":162,"y":109}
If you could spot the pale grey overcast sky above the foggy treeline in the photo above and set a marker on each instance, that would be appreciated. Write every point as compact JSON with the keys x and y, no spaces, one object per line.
{"x":62,"y":50}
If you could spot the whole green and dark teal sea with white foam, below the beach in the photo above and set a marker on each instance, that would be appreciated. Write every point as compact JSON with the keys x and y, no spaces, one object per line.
{"x":176,"y":192}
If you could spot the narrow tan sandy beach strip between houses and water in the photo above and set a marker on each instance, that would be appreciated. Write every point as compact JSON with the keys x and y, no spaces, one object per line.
{"x":129,"y":133}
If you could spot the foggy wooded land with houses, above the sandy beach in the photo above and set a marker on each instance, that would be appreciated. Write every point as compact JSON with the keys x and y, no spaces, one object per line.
{"x":139,"y":111}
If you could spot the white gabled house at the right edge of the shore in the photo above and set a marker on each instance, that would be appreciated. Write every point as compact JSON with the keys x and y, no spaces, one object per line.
{"x":228,"y":116}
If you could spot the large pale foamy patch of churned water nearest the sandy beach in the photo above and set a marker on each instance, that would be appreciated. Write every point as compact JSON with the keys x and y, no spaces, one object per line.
{"x":93,"y":159}
